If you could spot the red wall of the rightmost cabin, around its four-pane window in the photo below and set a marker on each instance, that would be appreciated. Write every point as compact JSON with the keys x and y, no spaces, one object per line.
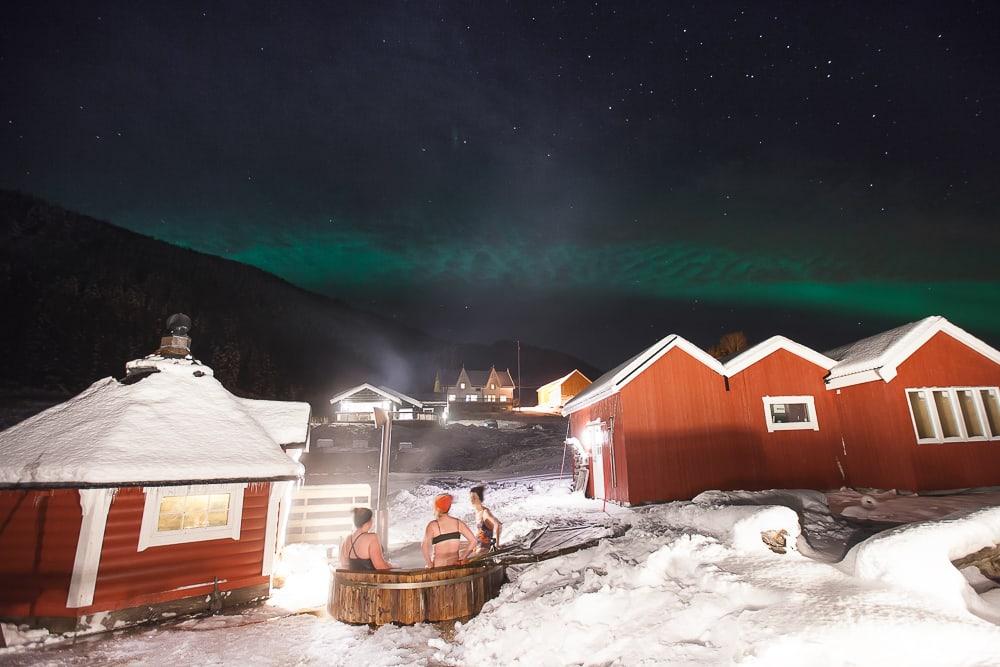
{"x":882,"y":449}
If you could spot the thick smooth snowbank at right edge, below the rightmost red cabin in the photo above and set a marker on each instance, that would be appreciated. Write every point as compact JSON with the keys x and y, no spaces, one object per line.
{"x":919,"y":557}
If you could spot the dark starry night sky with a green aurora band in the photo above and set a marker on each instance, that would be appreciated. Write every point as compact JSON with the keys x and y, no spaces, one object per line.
{"x":586,"y":176}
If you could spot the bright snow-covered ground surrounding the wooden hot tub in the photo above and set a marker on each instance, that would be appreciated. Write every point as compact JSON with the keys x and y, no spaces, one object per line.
{"x":691,"y":583}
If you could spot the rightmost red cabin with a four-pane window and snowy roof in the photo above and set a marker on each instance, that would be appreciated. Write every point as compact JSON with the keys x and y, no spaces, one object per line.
{"x":919,"y":408}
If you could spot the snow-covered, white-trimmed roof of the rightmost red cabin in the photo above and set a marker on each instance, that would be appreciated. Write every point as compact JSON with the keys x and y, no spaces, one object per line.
{"x":878,"y":357}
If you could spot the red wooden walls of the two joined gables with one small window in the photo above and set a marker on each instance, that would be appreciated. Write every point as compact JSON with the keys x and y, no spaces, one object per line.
{"x":679,"y":431}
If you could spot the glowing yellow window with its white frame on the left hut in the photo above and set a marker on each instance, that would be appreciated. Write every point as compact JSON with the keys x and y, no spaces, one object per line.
{"x":175,"y":515}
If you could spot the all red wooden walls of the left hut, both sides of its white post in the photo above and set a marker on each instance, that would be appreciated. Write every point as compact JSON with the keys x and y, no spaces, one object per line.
{"x":39,"y":531}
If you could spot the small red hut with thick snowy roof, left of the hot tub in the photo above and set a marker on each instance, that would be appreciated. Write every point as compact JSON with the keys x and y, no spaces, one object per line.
{"x":156,"y":494}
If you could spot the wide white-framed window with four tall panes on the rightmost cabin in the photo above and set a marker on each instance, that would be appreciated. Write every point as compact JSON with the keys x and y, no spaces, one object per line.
{"x":954,"y":414}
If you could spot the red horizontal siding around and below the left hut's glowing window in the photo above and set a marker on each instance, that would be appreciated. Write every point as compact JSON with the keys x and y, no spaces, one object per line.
{"x":128,"y":577}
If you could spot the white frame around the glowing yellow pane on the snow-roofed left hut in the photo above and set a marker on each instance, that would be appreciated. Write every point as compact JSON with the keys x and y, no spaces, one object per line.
{"x":149,"y":536}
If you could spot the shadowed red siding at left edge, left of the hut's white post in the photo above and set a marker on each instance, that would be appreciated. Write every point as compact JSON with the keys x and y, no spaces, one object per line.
{"x":38,"y":535}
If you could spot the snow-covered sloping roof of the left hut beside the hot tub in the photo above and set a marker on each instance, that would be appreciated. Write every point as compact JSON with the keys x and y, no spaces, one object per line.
{"x":177,"y":424}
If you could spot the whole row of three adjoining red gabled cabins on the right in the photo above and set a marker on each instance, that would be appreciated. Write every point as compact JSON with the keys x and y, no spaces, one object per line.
{"x":883,"y":412}
